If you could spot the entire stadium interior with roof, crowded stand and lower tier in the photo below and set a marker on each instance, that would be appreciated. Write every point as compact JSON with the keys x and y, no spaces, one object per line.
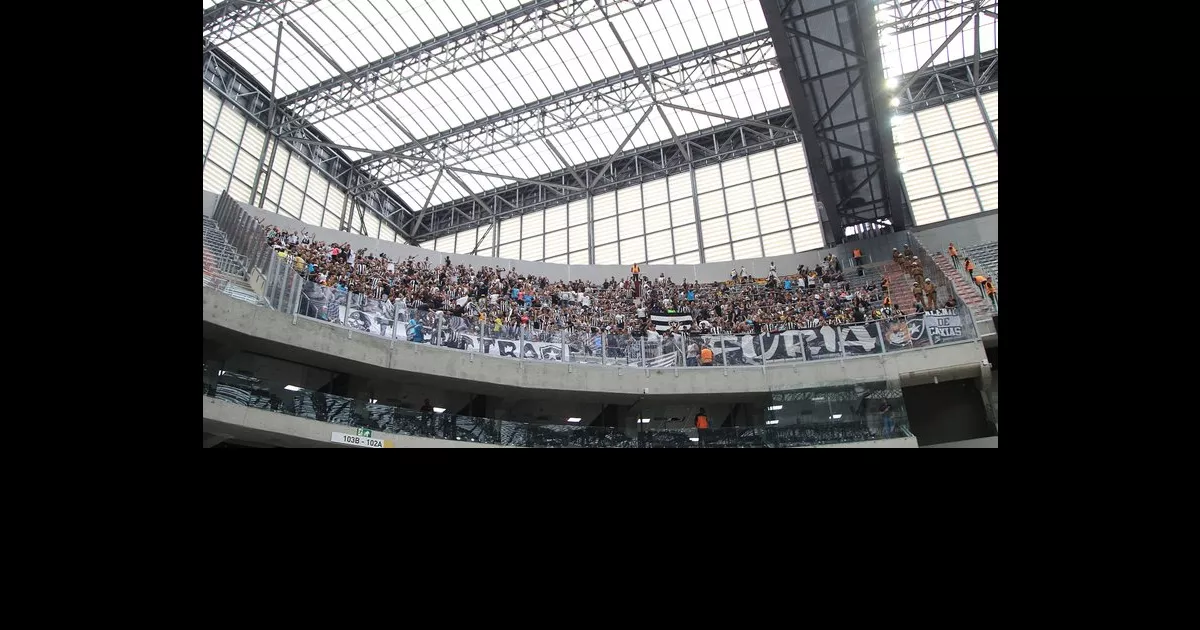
{"x":601,"y":224}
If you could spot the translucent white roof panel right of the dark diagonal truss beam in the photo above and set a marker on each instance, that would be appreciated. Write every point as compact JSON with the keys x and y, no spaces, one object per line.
{"x":910,"y":33}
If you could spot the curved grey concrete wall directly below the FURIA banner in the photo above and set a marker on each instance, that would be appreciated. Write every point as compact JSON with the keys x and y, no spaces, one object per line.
{"x":279,"y":331}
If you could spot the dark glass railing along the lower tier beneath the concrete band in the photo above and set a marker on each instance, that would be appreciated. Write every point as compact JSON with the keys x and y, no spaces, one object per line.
{"x":250,"y":392}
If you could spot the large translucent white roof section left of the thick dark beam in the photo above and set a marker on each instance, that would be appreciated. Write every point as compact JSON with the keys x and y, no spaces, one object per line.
{"x":488,"y":85}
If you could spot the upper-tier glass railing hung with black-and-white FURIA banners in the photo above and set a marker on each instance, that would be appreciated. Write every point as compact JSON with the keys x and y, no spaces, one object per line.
{"x":289,"y":291}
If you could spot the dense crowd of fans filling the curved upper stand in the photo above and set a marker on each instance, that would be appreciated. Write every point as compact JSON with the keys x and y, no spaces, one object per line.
{"x":505,"y":299}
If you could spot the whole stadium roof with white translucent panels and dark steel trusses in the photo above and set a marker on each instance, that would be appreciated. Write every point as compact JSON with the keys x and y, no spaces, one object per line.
{"x":441,"y":101}
